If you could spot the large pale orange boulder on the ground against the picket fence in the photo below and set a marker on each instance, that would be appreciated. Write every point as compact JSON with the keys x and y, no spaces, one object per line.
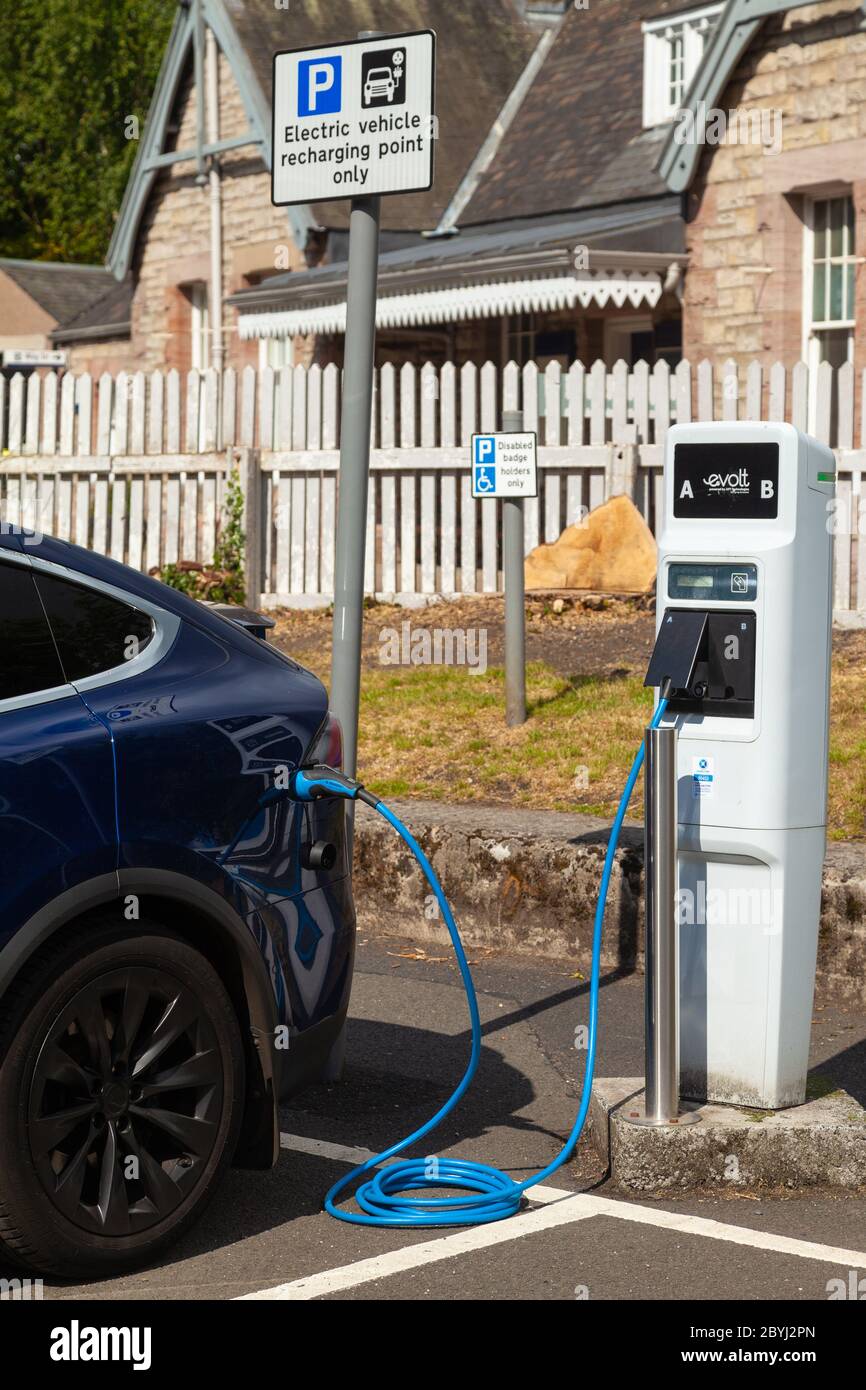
{"x":611,"y":551}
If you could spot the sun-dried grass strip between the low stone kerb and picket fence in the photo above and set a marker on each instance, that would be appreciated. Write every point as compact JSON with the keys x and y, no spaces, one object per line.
{"x":439,"y":733}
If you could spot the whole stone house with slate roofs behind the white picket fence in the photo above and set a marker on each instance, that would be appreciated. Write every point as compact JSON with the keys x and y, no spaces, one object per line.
{"x":653,"y":179}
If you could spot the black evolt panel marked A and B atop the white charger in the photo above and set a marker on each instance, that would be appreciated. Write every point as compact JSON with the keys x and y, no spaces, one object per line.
{"x":726,"y":482}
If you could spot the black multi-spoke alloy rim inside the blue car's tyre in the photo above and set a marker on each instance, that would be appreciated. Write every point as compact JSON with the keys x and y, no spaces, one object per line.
{"x":126,"y":1102}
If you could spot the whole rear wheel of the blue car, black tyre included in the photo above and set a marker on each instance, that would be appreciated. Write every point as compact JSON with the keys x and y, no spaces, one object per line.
{"x":122,"y":1097}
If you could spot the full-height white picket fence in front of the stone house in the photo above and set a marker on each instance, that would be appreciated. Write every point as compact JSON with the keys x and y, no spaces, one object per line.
{"x":136,"y":465}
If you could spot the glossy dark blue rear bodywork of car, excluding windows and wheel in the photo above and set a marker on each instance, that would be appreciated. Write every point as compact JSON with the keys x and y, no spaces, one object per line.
{"x":172,"y":776}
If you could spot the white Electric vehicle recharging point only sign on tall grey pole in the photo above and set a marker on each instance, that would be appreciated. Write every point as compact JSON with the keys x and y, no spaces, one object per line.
{"x":355,"y":119}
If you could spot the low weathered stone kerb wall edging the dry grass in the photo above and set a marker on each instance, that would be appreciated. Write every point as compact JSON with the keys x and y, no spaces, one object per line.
{"x":528,"y":882}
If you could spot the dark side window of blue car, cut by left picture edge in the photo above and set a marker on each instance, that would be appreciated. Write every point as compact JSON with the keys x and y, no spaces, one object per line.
{"x":30,"y":660}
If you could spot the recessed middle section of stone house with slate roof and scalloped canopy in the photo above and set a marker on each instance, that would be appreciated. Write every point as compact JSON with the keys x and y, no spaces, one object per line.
{"x":561,"y":241}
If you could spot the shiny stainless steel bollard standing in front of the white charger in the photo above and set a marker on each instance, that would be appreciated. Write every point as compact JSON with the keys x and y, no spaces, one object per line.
{"x":661,"y":892}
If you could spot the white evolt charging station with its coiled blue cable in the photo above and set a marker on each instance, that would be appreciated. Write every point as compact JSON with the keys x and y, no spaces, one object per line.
{"x":743,"y":668}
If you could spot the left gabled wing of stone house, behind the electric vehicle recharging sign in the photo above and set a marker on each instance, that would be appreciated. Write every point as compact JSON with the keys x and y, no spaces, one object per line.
{"x":198,"y":208}
